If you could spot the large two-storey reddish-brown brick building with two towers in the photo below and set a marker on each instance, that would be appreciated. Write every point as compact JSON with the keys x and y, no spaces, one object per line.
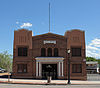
{"x":42,"y":55}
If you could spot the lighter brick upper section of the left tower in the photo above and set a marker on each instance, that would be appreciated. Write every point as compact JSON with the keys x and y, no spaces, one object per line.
{"x":23,"y":37}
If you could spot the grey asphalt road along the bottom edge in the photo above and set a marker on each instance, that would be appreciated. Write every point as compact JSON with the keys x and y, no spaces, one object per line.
{"x":46,"y":86}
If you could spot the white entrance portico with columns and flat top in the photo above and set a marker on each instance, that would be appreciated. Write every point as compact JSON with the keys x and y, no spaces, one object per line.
{"x":49,"y":60}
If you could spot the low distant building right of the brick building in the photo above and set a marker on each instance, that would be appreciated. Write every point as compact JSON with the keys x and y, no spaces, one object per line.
{"x":92,"y":67}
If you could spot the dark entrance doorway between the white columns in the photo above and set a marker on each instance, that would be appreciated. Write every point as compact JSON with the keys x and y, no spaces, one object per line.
{"x":49,"y":70}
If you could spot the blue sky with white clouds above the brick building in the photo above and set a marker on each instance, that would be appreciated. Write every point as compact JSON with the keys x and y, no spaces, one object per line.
{"x":65,"y":15}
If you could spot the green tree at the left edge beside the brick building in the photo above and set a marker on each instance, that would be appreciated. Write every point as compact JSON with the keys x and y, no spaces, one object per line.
{"x":6,"y":61}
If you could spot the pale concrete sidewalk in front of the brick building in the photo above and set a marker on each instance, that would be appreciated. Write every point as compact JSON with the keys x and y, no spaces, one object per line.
{"x":44,"y":82}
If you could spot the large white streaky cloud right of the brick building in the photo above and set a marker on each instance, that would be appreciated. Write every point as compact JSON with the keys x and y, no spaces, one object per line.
{"x":93,"y":48}
